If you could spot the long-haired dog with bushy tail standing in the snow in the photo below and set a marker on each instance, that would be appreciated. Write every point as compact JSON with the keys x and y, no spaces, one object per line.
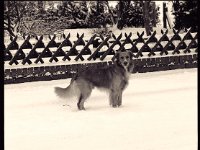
{"x":113,"y":78}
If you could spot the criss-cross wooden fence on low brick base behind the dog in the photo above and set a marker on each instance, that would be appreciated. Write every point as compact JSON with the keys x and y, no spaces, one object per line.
{"x":58,"y":57}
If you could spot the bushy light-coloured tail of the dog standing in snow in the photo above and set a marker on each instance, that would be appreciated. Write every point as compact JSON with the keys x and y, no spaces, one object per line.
{"x":66,"y":92}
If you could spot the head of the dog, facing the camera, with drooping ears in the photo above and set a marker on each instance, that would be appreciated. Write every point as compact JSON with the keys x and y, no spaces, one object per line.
{"x":124,"y":59}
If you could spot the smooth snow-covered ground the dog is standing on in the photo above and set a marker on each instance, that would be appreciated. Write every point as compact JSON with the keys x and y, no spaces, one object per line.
{"x":159,"y":112}
